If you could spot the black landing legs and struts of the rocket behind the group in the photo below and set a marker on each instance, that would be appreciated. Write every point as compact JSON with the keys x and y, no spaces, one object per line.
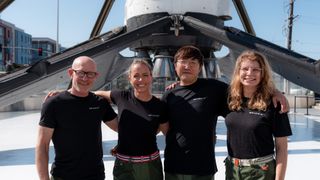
{"x":153,"y":34}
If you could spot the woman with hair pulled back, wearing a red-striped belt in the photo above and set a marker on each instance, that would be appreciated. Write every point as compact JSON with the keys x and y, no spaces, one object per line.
{"x":140,"y":115}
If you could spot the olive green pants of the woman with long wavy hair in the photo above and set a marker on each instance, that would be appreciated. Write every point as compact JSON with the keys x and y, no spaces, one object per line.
{"x":262,"y":171}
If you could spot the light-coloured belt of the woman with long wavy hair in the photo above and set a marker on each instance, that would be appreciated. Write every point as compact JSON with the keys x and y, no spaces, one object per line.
{"x":249,"y":162}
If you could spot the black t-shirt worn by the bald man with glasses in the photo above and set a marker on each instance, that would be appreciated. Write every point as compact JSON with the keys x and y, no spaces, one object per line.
{"x":77,"y":135}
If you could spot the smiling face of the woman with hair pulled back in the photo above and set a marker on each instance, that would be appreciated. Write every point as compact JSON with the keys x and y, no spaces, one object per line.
{"x":140,"y":78}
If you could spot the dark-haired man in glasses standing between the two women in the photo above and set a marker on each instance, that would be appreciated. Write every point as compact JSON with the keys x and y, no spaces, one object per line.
{"x":193,"y":108}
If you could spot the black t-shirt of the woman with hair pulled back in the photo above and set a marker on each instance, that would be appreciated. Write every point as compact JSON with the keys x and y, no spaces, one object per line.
{"x":138,"y":123}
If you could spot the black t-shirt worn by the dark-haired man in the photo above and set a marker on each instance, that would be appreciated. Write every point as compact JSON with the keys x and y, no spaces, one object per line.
{"x":192,"y":114}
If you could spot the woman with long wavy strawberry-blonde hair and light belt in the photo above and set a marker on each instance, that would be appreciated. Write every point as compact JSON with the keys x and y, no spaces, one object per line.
{"x":256,"y":131}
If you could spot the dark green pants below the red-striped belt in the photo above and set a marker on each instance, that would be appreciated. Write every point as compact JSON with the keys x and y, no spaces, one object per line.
{"x":151,"y":170}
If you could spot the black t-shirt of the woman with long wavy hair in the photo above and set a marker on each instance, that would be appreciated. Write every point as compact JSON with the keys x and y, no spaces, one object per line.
{"x":250,"y":132}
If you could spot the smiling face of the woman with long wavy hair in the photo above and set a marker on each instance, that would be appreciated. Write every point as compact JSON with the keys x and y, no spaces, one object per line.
{"x":250,"y":74}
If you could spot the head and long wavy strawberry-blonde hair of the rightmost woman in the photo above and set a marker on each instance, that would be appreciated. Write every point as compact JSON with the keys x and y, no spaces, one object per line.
{"x":252,"y":78}
